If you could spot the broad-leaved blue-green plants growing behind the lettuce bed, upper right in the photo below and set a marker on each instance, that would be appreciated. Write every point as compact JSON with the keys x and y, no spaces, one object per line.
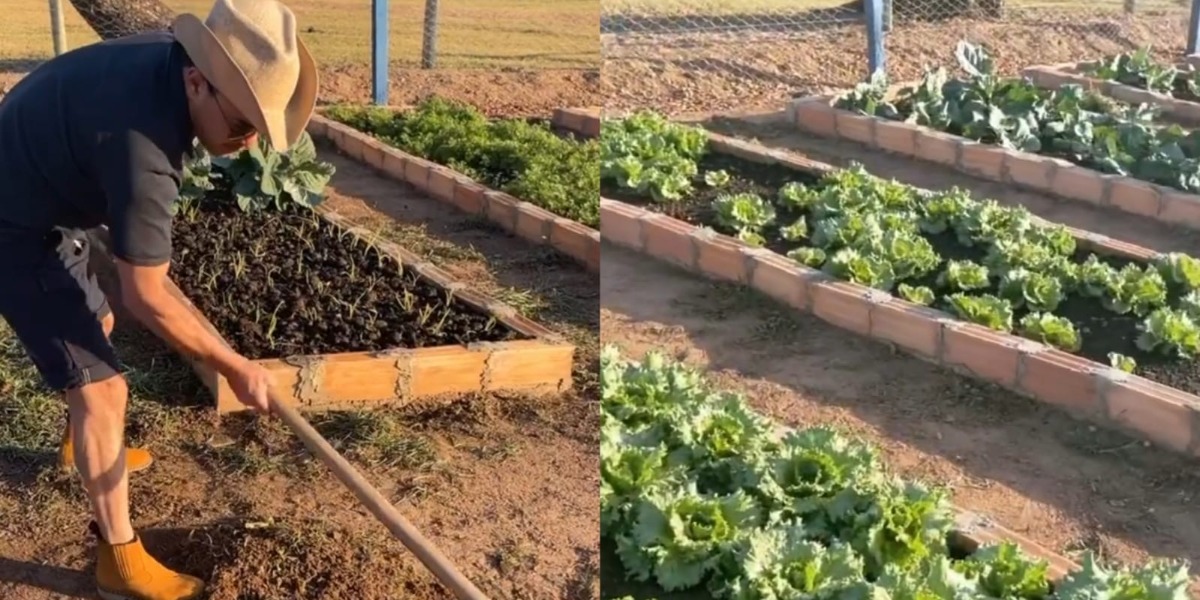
{"x":1067,"y":123}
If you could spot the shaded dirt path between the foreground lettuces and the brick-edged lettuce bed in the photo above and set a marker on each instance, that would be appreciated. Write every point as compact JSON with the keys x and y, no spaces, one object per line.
{"x":1033,"y":469}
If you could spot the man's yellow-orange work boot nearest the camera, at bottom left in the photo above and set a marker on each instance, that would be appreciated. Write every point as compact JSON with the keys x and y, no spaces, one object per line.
{"x":125,"y":572}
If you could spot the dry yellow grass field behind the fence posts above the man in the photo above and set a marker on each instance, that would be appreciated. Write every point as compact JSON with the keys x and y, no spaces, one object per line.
{"x":485,"y":34}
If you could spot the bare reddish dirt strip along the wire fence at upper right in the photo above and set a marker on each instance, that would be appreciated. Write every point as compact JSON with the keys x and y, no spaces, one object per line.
{"x":748,"y":69}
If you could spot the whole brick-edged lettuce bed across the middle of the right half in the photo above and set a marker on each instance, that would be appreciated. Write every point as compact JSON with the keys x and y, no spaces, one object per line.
{"x":1102,"y":328}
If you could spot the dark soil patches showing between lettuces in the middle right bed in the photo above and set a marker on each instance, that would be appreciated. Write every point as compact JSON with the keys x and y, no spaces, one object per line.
{"x":1101,"y":331}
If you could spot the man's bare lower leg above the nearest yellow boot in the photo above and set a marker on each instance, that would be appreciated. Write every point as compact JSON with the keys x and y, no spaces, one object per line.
{"x":98,"y":424}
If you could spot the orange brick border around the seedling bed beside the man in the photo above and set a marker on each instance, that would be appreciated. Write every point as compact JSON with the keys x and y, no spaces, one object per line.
{"x":541,"y":365}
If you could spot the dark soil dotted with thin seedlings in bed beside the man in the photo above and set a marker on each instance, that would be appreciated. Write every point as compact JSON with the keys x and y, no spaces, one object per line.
{"x":280,"y":285}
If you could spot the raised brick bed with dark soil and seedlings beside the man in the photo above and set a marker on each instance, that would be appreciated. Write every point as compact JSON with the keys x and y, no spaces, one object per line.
{"x":339,"y":316}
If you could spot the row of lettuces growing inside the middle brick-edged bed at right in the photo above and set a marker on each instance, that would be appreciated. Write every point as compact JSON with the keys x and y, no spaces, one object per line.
{"x":987,"y":263}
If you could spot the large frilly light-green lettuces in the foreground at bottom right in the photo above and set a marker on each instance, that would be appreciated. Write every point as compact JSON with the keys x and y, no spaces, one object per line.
{"x":700,"y":494}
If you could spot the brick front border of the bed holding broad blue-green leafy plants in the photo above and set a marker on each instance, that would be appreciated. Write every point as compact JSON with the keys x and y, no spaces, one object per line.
{"x":1057,"y":177}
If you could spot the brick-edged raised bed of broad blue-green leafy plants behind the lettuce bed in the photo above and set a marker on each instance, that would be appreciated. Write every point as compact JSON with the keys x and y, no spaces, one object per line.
{"x":1067,"y":142}
